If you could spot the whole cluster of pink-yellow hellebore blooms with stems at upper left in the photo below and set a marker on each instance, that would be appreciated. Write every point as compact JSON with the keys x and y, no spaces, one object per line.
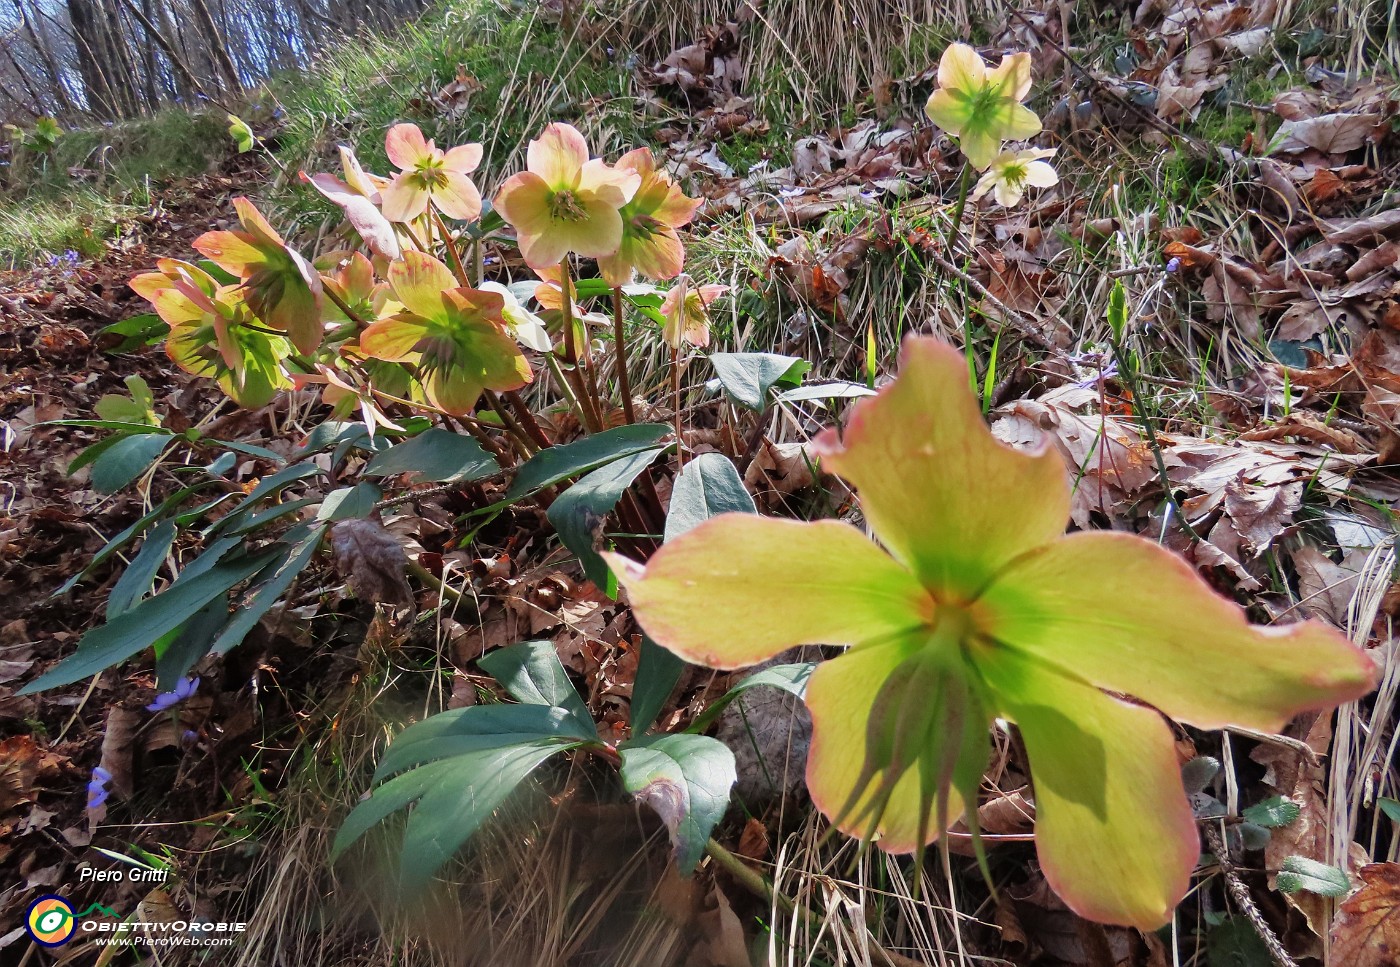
{"x":405,"y":323}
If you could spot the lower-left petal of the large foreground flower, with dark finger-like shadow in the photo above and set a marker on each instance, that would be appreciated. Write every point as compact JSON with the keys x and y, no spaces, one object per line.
{"x":892,"y":730}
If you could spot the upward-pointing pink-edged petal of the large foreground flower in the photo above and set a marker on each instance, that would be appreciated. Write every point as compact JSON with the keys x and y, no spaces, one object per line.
{"x":943,"y":495}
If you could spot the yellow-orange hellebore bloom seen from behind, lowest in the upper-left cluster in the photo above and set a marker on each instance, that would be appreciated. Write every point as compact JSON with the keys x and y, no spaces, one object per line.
{"x":457,"y":337}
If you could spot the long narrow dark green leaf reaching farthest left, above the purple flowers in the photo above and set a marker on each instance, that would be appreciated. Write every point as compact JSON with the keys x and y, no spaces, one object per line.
{"x":138,"y":629}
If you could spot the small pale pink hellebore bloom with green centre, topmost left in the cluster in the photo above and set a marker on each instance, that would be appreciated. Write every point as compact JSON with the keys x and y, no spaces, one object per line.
{"x":430,"y":176}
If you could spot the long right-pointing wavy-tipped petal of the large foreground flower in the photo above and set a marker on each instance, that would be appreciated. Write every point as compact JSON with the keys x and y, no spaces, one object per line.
{"x":1129,"y":616}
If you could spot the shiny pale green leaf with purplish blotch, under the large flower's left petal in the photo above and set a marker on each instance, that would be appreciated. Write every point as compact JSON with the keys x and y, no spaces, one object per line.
{"x":687,"y":780}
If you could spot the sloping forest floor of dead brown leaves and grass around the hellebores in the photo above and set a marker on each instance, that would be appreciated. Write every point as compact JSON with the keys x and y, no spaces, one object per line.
{"x":1235,"y":170}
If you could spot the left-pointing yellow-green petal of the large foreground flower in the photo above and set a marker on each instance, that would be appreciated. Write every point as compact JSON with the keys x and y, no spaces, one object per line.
{"x":741,"y":588}
